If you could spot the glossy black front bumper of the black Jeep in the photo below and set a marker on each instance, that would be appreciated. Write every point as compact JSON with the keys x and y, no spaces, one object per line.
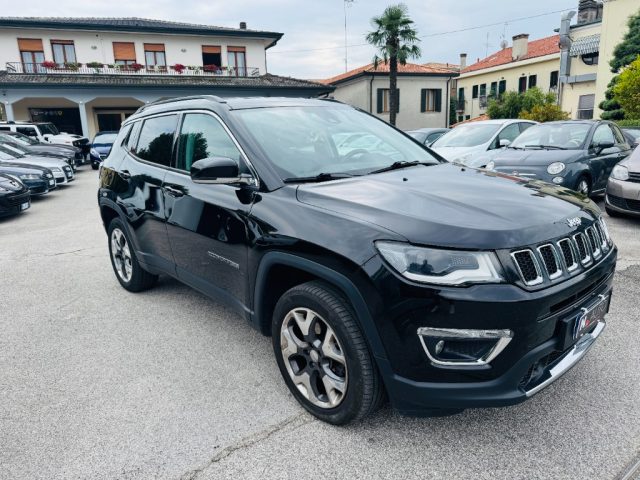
{"x":540,"y":352}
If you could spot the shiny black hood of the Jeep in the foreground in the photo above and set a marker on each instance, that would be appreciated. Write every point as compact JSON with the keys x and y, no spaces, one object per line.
{"x":454,"y":206}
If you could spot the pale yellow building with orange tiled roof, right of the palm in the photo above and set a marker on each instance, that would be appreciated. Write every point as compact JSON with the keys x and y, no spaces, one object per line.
{"x":524,"y":65}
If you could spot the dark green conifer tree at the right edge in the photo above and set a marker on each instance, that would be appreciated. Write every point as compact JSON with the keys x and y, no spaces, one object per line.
{"x":624,"y":53}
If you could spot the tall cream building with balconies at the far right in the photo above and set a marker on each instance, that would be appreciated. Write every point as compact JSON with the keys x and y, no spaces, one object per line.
{"x":587,"y":47}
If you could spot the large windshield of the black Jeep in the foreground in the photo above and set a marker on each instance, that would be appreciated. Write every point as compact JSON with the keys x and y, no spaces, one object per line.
{"x":307,"y":141}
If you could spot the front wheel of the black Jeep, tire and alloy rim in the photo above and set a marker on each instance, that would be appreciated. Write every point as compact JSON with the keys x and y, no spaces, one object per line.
{"x":334,"y":352}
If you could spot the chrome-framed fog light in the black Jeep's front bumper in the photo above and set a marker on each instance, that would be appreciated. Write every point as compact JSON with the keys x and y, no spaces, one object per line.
{"x":463,"y":347}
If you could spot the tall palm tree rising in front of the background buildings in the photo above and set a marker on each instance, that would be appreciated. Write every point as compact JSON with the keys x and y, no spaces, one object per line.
{"x":396,"y":41}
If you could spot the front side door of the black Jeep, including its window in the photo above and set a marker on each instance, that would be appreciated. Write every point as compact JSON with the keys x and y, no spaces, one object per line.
{"x":207,"y":223}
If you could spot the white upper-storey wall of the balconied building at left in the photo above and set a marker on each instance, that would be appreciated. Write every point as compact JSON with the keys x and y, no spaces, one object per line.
{"x":103,"y":41}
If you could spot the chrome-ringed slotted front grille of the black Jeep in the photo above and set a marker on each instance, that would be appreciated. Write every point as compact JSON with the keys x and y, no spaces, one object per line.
{"x":564,"y":256}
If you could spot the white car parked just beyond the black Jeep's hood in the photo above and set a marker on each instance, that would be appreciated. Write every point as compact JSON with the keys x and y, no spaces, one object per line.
{"x":474,"y":143}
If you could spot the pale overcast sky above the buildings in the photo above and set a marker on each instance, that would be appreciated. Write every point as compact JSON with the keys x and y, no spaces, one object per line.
{"x":313,"y":42}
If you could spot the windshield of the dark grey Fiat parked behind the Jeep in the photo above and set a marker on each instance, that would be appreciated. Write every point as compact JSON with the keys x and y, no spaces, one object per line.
{"x":560,"y":135}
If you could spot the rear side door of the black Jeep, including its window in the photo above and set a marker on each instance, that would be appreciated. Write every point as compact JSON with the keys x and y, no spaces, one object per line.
{"x":141,"y":173}
